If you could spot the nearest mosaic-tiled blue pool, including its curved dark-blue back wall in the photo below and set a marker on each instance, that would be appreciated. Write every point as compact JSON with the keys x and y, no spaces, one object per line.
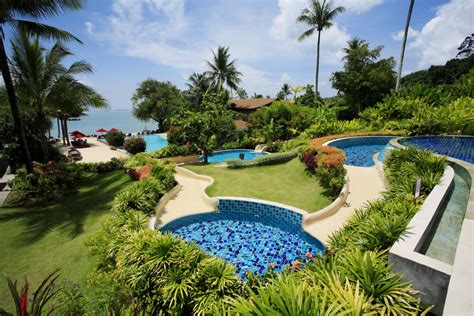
{"x":250,"y":235}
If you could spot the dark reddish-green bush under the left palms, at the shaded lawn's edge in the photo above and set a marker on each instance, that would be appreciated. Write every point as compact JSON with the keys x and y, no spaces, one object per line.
{"x":47,"y":181}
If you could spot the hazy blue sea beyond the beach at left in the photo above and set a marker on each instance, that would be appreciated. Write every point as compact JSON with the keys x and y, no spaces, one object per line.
{"x":120,"y":119}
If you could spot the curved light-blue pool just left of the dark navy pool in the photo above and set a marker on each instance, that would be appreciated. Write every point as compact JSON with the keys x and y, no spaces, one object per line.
{"x":360,"y":150}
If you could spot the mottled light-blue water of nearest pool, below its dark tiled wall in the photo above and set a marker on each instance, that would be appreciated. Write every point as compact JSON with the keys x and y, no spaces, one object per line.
{"x":247,"y":245}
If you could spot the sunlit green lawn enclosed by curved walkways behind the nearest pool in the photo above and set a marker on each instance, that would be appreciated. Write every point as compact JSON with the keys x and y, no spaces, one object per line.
{"x":286,"y":183}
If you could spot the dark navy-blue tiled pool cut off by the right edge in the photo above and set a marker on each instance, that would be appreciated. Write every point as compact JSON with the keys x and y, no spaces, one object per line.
{"x":459,"y":147}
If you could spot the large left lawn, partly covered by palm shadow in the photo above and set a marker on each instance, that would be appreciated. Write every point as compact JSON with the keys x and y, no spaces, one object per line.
{"x":37,"y":240}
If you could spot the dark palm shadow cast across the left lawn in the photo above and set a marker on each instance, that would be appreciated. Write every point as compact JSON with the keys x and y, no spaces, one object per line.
{"x":67,"y":216}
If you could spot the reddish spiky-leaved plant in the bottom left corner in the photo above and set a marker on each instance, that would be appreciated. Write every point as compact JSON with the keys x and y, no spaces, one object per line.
{"x":43,"y":294}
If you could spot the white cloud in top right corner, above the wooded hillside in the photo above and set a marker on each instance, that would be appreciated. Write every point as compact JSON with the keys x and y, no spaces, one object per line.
{"x":440,"y":37}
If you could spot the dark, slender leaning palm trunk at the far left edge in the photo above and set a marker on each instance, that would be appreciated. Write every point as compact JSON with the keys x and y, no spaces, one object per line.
{"x":7,"y":79}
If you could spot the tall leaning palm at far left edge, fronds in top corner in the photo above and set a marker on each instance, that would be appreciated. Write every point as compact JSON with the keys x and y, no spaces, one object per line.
{"x":9,"y":13}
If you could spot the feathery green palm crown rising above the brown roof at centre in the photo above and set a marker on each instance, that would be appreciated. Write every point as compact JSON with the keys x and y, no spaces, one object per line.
{"x":222,"y":70}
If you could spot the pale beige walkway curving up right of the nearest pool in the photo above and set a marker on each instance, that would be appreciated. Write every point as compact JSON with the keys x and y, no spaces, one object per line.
{"x":365,"y":184}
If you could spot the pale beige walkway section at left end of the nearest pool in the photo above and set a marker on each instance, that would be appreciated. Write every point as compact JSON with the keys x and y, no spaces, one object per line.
{"x":189,"y":200}
